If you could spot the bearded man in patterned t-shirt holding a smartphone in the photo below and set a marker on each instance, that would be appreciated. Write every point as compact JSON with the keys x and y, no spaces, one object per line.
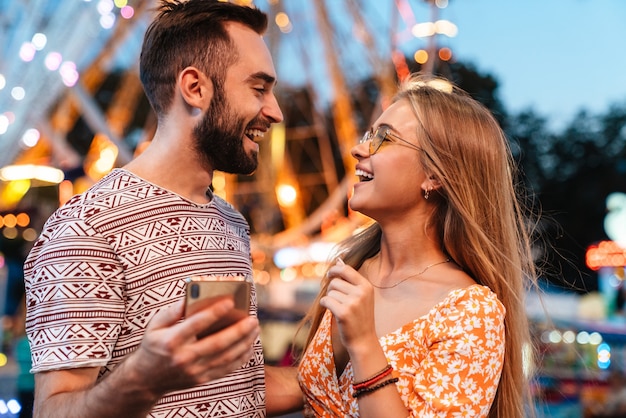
{"x":105,"y":281}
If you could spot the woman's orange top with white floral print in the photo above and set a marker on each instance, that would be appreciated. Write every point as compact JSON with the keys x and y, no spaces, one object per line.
{"x":448,"y":361}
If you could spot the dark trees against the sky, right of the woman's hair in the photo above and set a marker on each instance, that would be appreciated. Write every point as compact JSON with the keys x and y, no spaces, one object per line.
{"x":572,"y":173}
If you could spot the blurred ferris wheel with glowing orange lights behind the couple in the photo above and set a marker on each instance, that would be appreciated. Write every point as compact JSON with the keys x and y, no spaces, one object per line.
{"x":71,"y":100}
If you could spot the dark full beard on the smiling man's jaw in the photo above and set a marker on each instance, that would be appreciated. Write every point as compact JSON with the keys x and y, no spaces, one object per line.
{"x":219,"y":138}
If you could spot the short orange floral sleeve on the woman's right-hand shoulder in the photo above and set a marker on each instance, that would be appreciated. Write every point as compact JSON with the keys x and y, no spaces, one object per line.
{"x":460,"y":373}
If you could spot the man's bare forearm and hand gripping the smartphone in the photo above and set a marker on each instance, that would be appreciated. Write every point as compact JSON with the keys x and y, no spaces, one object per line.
{"x":169,"y":358}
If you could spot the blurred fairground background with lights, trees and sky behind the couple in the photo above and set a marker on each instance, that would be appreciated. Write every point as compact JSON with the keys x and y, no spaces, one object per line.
{"x":554,"y":74}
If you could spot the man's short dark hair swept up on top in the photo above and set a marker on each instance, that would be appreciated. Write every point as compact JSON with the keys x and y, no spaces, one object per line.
{"x":191,"y":33}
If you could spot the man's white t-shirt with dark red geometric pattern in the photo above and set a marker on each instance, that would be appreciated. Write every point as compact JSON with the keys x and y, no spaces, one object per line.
{"x":111,"y":258}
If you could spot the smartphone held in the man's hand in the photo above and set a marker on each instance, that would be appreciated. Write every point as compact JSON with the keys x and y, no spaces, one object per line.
{"x":203,"y":291}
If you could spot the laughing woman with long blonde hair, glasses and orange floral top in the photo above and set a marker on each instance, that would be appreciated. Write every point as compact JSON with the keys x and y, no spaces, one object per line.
{"x":423,"y":312}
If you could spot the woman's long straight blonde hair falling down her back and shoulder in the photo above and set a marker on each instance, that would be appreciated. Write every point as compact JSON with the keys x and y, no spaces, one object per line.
{"x":480,"y":218}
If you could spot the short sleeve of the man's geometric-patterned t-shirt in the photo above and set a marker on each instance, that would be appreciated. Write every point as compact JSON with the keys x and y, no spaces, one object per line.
{"x":75,"y":296}
